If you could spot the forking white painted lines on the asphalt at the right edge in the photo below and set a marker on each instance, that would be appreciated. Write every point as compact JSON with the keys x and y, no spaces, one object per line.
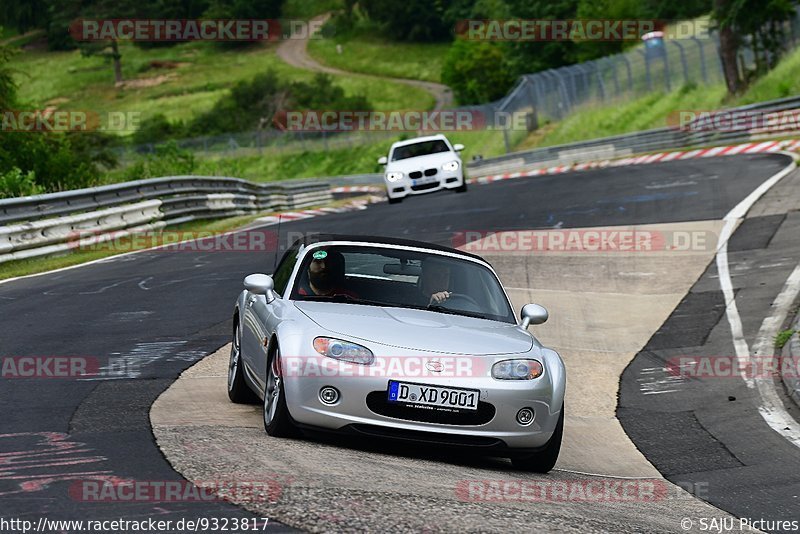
{"x":771,"y":408}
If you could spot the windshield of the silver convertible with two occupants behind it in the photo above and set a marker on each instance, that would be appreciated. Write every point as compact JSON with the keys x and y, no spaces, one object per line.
{"x":380,"y":276}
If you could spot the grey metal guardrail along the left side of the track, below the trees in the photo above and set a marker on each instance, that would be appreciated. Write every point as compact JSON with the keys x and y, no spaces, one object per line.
{"x":49,"y":224}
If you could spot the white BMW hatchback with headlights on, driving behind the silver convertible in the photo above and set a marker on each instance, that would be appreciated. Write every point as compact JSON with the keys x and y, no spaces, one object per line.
{"x":422,"y":165}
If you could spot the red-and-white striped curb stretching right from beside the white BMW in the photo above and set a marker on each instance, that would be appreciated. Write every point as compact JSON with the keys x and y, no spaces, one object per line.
{"x":746,"y":148}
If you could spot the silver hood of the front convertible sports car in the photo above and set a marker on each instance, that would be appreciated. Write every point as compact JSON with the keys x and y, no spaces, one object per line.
{"x":418,"y":330}
